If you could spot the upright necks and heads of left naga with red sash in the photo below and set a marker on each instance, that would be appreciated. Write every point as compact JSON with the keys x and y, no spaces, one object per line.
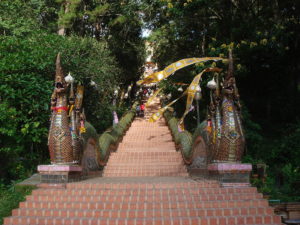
{"x":64,"y":143}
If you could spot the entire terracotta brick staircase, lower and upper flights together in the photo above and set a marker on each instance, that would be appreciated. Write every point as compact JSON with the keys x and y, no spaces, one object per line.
{"x":145,"y":182}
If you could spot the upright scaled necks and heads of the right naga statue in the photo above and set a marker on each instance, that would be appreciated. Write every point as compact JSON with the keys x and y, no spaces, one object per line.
{"x":221,"y":137}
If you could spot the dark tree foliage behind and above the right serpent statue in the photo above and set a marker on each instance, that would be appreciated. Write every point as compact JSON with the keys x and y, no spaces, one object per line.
{"x":265,"y":43}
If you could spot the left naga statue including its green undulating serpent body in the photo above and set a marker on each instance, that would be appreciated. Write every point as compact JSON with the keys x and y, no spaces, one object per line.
{"x":71,"y":139}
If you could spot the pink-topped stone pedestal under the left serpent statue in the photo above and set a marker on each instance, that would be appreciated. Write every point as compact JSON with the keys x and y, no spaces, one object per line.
{"x":59,"y":174}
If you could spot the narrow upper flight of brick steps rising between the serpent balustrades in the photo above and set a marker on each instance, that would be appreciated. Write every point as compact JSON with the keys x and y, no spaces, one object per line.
{"x":146,"y":150}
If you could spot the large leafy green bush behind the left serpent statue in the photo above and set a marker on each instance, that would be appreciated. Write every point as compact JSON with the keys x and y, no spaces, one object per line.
{"x":27,"y":68}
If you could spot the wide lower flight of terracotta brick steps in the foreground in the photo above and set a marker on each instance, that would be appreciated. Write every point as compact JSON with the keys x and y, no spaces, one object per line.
{"x":156,"y":201}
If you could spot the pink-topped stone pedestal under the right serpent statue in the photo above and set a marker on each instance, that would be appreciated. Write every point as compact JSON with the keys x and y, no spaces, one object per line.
{"x":230,"y":174}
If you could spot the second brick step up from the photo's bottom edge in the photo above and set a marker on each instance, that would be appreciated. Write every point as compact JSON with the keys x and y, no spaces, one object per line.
{"x":156,"y":213}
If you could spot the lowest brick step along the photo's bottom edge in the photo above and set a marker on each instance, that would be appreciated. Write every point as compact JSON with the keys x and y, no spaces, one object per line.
{"x":234,"y":220}
